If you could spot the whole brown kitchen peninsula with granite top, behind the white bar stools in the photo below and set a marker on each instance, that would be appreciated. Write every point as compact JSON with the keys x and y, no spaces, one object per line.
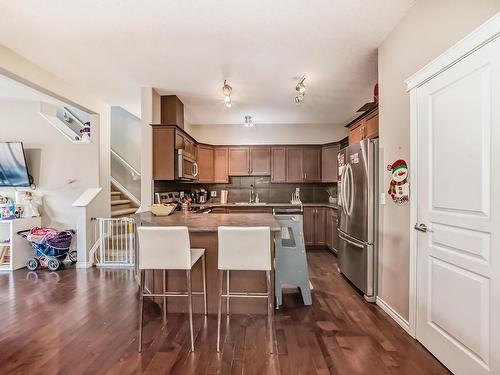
{"x":203,"y":234}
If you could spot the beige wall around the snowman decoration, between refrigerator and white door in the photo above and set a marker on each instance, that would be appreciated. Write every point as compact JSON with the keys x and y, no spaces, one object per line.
{"x":429,"y":28}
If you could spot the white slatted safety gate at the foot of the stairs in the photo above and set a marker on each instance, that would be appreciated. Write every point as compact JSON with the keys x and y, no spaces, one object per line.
{"x":116,"y":241}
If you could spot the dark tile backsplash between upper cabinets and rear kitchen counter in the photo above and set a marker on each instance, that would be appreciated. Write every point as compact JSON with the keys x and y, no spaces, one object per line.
{"x":239,"y":189}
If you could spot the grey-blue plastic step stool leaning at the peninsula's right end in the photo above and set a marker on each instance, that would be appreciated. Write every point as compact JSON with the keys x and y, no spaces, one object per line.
{"x":290,"y":259}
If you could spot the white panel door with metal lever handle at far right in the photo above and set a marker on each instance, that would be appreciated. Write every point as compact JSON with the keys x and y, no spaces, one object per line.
{"x":458,"y":258}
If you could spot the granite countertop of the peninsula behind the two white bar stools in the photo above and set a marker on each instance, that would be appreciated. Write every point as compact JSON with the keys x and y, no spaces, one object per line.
{"x":208,"y":222}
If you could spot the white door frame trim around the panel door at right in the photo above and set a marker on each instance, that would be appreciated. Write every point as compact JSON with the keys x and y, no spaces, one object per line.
{"x":479,"y":37}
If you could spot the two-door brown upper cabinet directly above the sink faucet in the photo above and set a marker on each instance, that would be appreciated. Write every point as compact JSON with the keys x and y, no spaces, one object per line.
{"x":249,"y":161}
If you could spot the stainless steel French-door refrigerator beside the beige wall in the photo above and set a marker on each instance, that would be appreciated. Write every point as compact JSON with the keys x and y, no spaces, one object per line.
{"x":358,"y":224}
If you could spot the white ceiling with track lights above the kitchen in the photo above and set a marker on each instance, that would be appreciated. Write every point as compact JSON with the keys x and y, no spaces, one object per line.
{"x":112,"y":48}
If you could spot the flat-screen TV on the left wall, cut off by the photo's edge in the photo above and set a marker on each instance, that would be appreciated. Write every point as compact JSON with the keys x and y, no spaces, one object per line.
{"x":13,"y":168}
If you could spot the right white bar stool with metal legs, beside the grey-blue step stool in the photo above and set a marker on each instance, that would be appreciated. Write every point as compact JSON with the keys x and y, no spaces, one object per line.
{"x":245,"y":249}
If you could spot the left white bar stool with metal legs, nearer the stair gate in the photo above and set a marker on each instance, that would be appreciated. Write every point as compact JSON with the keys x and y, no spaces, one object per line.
{"x":168,"y":248}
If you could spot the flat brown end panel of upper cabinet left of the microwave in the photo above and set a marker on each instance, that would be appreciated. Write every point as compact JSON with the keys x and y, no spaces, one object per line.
{"x":163,"y":153}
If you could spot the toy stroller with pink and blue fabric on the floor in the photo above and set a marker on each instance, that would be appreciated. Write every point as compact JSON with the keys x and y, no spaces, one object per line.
{"x":51,"y":247}
